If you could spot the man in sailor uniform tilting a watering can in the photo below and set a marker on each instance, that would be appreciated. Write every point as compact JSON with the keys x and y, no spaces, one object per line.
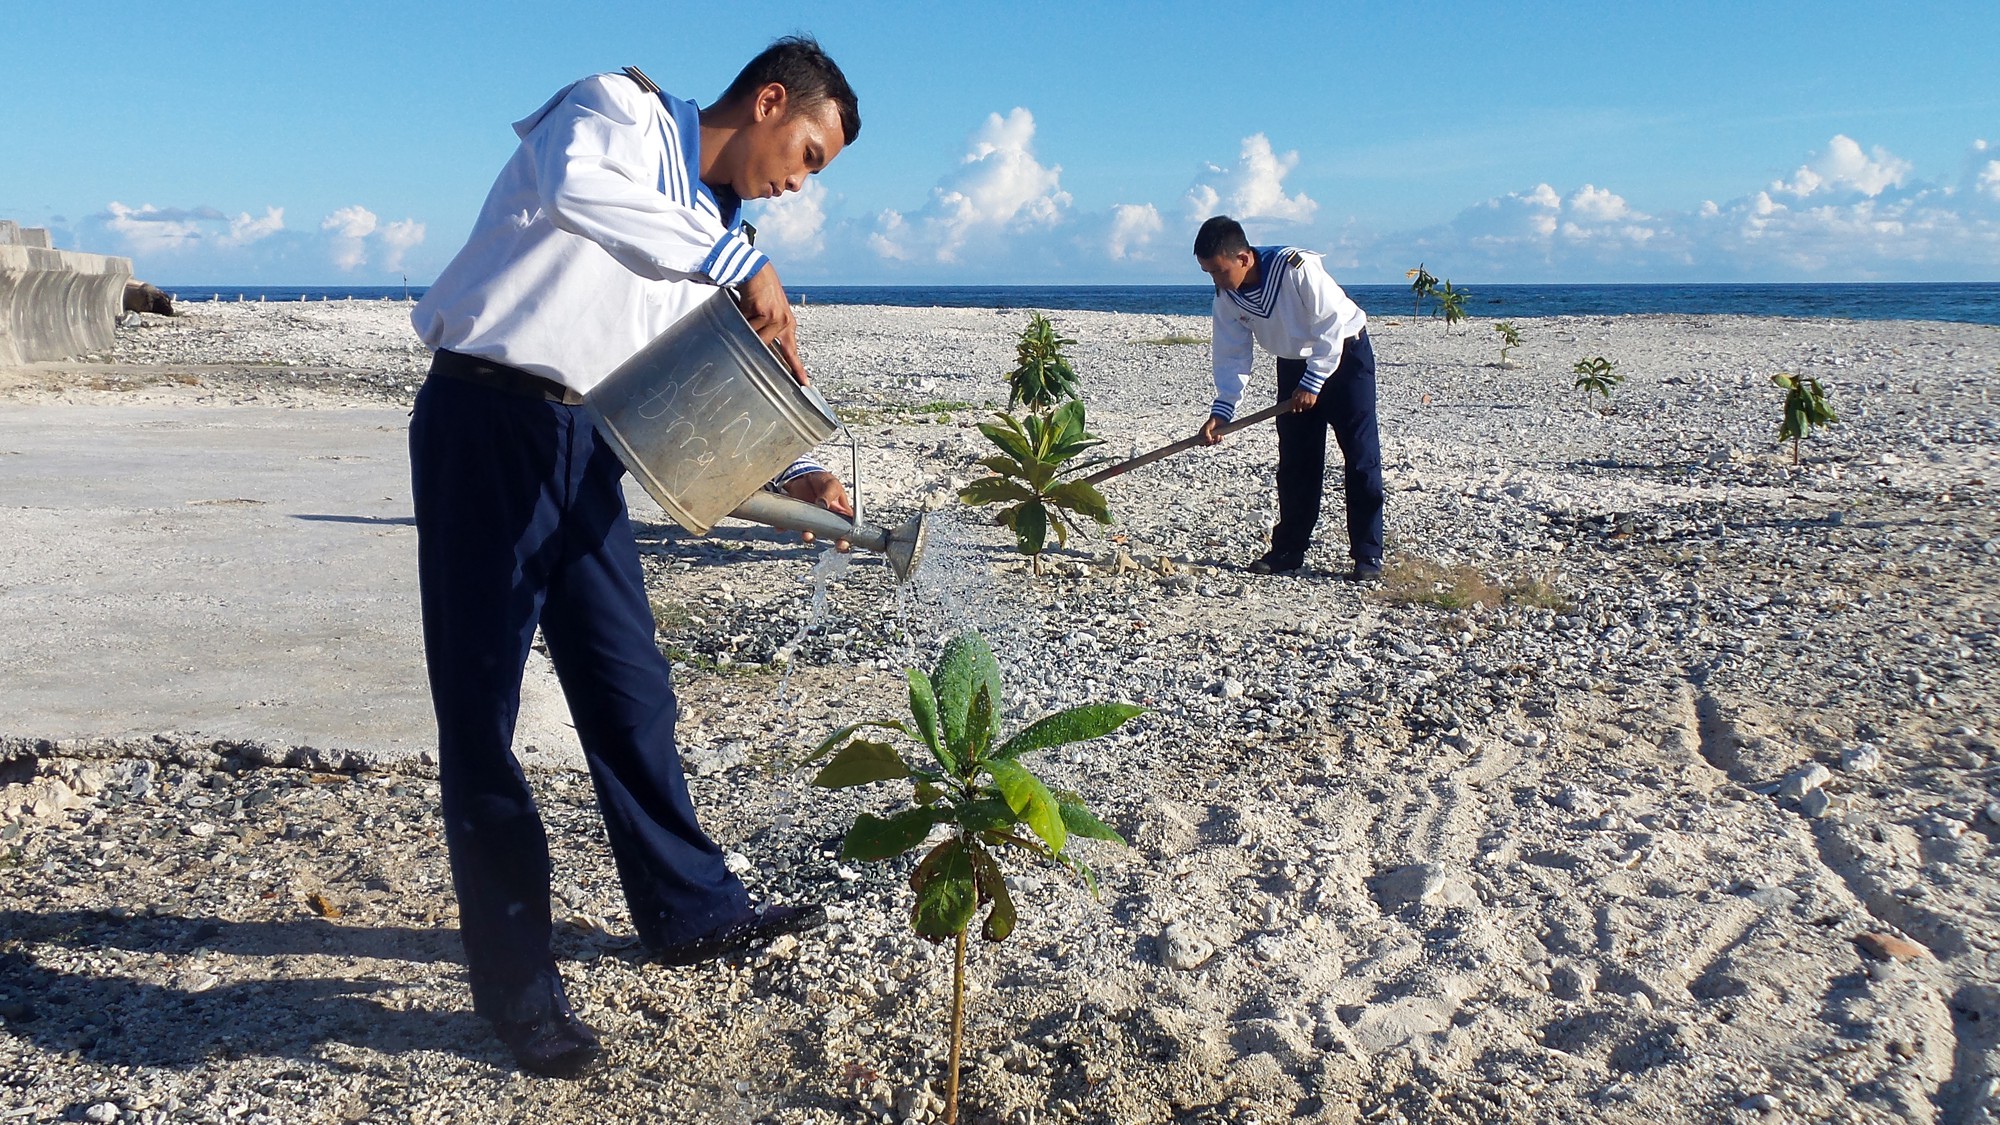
{"x":615,"y":219}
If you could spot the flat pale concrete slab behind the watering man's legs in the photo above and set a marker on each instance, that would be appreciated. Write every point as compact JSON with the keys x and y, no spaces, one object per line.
{"x":229,"y":574}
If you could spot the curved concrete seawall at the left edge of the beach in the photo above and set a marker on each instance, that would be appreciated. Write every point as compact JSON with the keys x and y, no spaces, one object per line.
{"x":55,"y":303}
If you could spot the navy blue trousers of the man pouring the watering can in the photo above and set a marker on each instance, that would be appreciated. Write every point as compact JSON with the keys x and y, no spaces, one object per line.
{"x":521,"y":521}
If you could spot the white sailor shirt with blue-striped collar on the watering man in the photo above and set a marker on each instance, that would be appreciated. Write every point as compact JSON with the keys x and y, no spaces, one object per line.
{"x":597,"y":237}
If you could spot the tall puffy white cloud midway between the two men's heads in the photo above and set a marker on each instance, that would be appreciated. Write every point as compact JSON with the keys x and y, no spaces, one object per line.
{"x":999,"y":189}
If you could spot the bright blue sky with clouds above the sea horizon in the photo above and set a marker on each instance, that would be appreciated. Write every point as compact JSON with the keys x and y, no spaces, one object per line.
{"x":1033,"y":143}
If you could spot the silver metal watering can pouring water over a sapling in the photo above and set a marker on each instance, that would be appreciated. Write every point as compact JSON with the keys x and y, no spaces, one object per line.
{"x":707,"y":415}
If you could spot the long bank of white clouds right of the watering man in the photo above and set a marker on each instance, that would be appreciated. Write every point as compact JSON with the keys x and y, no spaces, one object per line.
{"x":1845,"y":213}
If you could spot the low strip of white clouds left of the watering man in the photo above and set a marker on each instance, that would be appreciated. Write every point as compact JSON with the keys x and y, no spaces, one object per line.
{"x":181,"y":243}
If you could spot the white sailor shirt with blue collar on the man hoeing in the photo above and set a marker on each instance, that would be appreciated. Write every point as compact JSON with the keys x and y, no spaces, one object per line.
{"x":1297,"y":311}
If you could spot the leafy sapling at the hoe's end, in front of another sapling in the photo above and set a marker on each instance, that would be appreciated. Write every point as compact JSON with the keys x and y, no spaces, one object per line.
{"x":1035,"y":477}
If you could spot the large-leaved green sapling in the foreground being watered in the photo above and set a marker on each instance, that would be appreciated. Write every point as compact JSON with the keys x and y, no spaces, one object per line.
{"x":973,"y":784}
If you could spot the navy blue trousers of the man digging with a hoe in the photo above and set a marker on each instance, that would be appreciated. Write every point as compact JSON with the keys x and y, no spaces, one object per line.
{"x":1347,"y":407}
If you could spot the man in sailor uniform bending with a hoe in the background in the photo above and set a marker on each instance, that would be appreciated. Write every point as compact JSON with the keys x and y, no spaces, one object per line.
{"x":1283,"y":299}
